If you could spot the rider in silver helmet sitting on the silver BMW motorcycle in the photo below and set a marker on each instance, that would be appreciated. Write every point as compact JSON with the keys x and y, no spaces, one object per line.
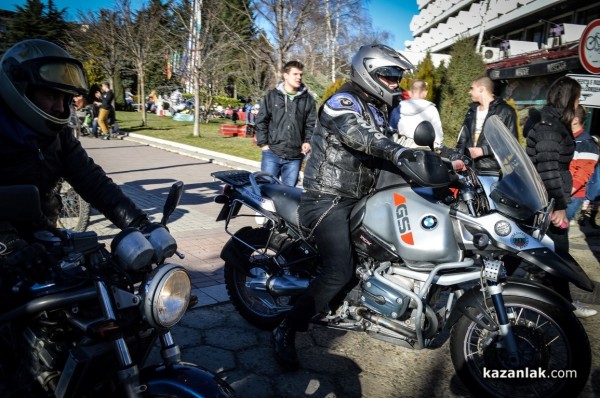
{"x":348,"y":147}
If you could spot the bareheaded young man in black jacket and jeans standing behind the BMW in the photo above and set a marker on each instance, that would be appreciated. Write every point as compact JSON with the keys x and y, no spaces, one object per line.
{"x":284,"y":125}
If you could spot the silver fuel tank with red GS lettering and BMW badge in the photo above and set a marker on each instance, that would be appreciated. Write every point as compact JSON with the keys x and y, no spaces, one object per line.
{"x":414,"y":223}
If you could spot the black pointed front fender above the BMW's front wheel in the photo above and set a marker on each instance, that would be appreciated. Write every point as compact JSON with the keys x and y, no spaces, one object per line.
{"x":563,"y":266}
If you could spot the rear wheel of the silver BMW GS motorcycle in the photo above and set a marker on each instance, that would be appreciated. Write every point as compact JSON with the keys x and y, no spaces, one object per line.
{"x":259,"y":308}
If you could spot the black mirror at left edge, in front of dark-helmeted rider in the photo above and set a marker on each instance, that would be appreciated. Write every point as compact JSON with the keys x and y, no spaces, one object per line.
{"x":20,"y":203}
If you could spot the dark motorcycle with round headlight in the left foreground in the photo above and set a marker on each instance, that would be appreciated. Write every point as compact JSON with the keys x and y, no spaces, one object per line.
{"x":79,"y":321}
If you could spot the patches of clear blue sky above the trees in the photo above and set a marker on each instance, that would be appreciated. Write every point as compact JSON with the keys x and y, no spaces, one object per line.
{"x":393,"y":16}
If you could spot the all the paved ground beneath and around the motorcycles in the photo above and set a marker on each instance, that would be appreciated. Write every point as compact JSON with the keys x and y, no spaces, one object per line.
{"x":213,"y":335}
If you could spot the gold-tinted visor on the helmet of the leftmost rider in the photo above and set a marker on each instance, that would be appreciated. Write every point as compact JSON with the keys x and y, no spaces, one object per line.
{"x":62,"y":74}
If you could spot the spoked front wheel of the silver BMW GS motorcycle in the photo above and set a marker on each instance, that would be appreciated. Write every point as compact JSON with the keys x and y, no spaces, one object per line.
{"x":554,"y":353}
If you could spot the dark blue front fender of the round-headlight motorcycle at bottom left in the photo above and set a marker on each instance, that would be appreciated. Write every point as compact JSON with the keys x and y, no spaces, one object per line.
{"x":184,"y":380}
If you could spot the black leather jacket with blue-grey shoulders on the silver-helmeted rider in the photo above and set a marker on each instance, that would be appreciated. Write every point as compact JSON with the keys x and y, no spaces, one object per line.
{"x":348,"y":145}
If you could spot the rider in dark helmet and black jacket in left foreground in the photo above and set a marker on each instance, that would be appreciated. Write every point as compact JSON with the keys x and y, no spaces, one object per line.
{"x":38,"y":80}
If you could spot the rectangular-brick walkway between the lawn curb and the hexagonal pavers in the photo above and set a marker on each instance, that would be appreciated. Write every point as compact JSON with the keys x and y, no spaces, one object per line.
{"x":145,"y":174}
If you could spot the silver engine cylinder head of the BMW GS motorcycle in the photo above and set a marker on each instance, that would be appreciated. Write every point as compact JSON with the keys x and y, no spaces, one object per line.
{"x":383,"y":299}
